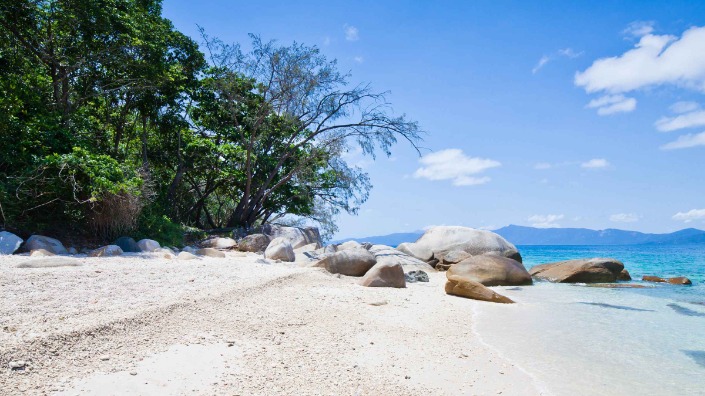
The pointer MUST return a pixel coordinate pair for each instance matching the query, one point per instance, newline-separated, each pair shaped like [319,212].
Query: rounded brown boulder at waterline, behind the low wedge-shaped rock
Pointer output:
[491,270]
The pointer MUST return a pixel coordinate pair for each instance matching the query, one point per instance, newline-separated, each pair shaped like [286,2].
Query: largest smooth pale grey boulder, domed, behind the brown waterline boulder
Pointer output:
[439,241]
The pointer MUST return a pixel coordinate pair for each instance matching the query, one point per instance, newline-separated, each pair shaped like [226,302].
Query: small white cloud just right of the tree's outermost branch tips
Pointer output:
[453,164]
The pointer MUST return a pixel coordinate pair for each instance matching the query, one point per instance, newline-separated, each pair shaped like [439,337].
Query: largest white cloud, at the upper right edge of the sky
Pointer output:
[655,60]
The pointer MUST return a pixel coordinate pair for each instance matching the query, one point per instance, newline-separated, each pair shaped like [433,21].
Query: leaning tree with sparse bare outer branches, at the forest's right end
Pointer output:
[290,115]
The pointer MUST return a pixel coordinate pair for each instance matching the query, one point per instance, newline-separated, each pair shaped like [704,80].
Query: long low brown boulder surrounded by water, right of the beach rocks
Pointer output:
[594,270]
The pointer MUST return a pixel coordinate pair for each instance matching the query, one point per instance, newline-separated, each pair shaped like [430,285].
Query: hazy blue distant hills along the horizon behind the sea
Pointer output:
[520,235]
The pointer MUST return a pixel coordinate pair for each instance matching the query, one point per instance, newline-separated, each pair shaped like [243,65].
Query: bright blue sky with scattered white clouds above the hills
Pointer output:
[545,114]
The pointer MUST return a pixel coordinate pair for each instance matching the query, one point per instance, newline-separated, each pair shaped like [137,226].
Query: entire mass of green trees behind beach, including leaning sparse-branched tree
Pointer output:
[112,122]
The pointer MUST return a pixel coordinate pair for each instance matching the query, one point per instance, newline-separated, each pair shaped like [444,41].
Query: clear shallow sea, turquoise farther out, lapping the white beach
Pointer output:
[580,340]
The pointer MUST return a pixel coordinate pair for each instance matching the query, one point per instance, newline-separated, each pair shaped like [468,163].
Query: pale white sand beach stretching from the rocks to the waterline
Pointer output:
[232,326]
